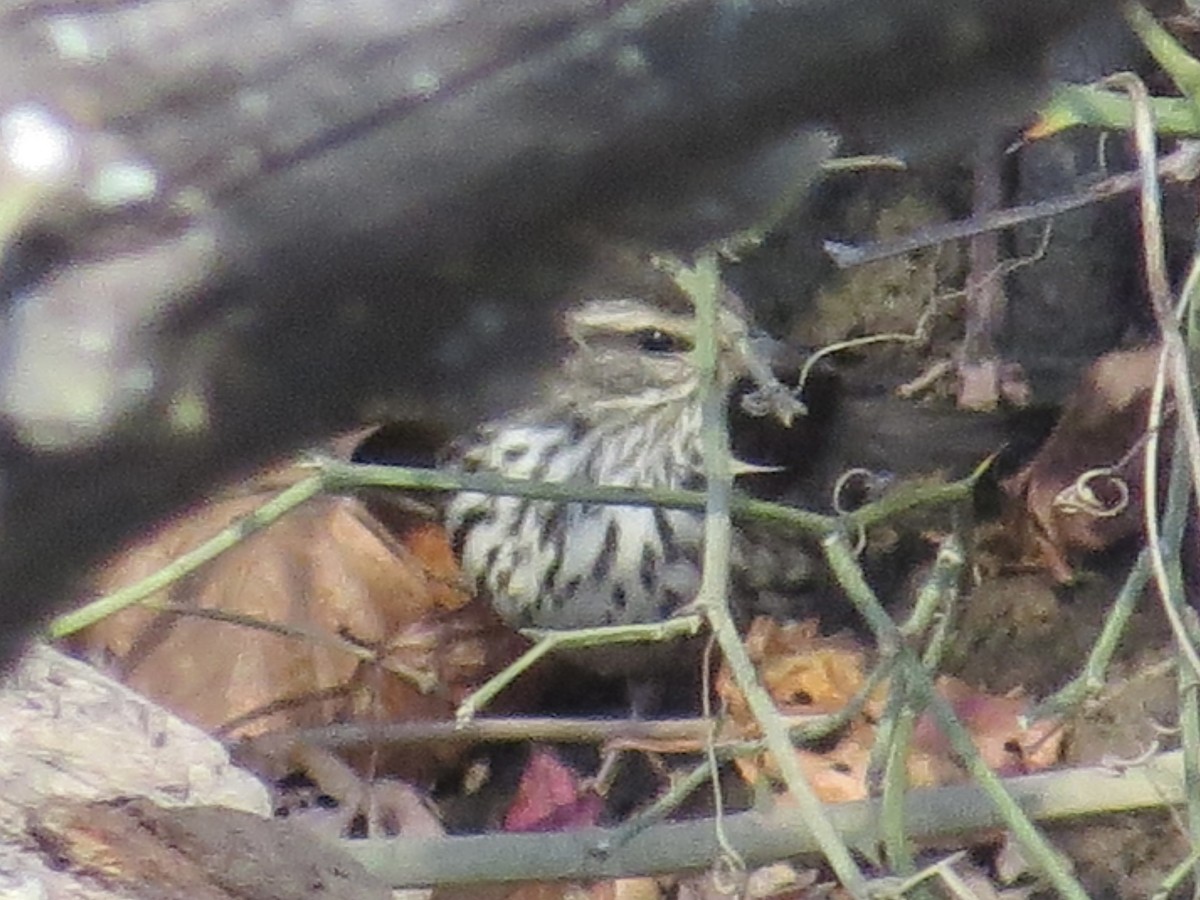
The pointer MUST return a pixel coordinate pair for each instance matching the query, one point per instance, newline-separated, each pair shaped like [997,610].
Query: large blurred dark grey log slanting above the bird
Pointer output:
[232,227]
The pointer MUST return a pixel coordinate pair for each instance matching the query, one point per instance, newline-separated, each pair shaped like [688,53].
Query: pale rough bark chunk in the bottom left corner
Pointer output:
[74,737]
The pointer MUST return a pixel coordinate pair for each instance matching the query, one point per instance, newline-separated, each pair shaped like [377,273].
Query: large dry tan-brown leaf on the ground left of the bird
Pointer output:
[339,581]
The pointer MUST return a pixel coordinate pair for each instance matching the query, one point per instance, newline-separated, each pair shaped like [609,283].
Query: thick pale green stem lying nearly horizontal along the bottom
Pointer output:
[933,815]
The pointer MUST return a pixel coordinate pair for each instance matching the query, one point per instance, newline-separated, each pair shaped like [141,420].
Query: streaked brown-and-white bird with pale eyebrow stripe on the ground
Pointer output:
[622,410]
